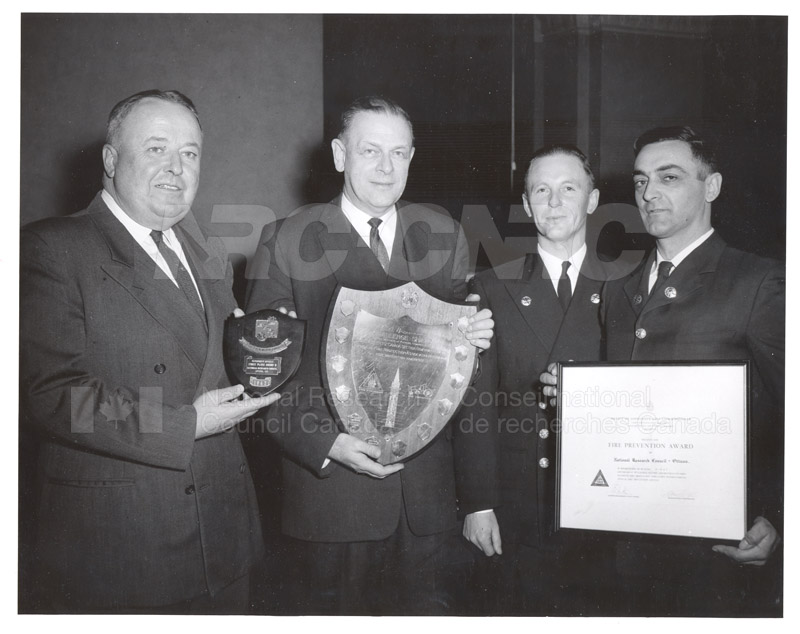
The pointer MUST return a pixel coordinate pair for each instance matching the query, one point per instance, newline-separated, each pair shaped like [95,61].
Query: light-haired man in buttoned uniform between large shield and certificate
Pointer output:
[546,309]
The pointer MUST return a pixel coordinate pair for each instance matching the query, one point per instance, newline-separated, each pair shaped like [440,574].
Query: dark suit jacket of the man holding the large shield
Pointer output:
[298,264]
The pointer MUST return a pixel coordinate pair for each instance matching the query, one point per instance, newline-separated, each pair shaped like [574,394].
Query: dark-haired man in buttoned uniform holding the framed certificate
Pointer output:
[695,298]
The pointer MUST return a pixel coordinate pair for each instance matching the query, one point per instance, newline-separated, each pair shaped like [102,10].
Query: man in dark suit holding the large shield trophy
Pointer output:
[367,538]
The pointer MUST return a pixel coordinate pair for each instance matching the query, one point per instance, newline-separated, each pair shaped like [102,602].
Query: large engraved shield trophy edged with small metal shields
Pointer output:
[397,365]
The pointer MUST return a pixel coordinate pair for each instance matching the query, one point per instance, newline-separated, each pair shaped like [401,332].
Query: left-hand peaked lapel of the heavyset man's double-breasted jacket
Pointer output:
[133,269]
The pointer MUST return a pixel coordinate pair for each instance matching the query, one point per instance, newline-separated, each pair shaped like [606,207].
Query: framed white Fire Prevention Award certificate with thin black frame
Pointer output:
[653,448]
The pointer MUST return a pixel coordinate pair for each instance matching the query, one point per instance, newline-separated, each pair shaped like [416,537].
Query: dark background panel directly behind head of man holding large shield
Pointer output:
[453,75]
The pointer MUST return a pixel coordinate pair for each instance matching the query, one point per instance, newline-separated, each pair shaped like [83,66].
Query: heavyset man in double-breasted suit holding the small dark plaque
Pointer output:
[146,505]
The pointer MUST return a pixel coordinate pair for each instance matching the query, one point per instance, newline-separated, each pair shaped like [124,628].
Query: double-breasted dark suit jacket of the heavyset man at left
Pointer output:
[134,511]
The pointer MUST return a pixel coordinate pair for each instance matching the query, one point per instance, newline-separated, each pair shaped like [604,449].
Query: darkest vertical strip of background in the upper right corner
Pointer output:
[745,105]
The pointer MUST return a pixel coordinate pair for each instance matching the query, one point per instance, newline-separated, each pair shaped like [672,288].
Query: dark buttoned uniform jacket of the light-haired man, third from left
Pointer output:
[531,331]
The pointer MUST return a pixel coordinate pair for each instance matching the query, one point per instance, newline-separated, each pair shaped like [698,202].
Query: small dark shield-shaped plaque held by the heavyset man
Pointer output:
[263,369]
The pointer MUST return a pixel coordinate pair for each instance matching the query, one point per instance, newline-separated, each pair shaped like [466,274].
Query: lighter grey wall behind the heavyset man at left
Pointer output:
[255,79]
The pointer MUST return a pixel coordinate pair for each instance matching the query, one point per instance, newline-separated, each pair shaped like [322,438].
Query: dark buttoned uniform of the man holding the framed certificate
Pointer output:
[728,305]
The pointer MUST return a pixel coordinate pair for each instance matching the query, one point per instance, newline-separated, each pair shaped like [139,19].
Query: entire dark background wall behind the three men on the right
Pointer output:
[485,91]
